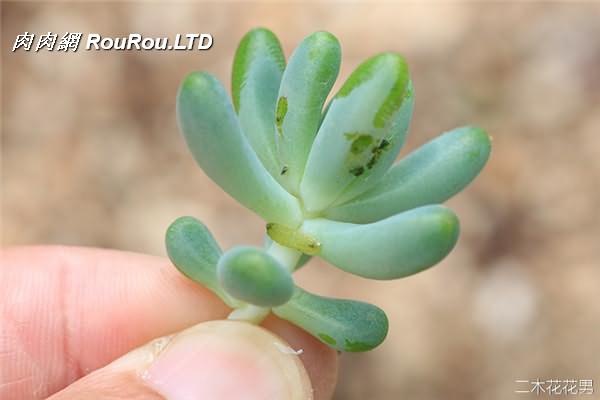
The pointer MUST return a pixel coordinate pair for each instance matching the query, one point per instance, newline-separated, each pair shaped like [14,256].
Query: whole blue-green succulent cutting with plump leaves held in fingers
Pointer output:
[322,178]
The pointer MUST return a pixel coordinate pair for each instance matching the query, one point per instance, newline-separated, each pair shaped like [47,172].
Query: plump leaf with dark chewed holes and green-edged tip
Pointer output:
[361,134]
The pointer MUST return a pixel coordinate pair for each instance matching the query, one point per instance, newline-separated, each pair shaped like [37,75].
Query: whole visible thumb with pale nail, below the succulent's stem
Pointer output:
[213,360]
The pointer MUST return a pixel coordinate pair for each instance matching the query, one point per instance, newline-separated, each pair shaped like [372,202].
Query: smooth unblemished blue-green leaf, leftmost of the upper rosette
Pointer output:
[215,138]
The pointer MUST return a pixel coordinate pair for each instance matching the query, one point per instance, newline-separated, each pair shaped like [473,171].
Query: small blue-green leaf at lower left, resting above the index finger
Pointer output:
[195,253]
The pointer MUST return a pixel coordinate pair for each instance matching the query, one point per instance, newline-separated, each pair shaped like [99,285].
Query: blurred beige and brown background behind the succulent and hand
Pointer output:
[91,156]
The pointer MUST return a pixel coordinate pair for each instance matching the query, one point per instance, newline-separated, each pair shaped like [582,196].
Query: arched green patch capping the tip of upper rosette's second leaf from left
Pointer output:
[259,42]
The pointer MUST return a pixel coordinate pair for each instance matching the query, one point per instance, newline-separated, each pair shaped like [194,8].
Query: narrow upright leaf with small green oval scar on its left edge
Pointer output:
[307,80]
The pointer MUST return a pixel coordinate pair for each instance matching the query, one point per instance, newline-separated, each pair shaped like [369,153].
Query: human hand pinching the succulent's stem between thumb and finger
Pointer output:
[71,318]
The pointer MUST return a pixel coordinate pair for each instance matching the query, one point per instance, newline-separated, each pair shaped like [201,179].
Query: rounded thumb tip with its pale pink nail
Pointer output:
[228,360]
